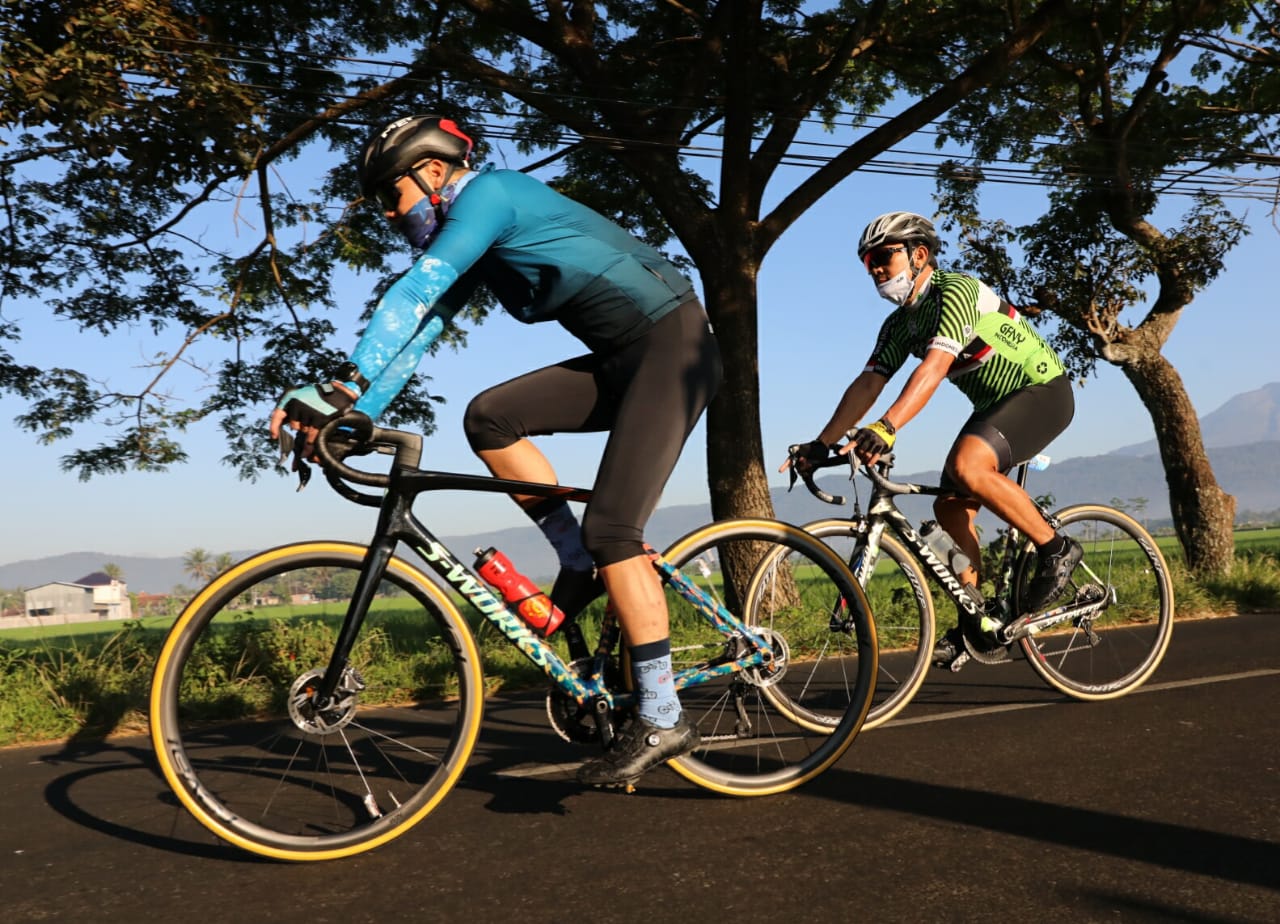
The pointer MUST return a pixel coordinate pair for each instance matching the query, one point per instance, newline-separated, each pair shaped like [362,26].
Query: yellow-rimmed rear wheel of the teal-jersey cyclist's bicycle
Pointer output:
[756,739]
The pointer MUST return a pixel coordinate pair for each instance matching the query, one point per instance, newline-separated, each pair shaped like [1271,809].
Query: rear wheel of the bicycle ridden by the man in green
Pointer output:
[1124,602]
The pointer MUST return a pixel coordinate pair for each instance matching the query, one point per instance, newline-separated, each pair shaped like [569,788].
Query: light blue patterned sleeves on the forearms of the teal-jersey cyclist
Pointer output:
[405,324]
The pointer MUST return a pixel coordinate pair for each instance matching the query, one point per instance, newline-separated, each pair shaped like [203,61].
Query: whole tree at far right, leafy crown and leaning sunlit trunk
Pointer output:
[1119,112]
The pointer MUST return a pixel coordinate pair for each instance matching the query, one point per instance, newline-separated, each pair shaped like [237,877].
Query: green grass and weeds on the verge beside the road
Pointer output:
[90,680]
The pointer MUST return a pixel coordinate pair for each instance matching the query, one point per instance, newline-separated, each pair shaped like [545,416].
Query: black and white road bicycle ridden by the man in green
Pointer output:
[1103,638]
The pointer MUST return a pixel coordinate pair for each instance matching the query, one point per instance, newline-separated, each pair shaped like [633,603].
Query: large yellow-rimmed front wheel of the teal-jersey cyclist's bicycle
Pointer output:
[241,743]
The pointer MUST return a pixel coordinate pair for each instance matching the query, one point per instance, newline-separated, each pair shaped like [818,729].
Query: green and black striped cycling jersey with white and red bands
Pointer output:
[998,353]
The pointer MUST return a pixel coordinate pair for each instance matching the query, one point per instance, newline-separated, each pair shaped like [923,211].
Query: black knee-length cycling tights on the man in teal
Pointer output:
[648,395]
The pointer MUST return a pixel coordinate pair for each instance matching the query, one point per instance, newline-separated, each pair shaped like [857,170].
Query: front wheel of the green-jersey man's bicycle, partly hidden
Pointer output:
[898,593]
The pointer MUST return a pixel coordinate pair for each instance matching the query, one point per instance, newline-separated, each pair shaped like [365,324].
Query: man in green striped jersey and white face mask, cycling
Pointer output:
[966,333]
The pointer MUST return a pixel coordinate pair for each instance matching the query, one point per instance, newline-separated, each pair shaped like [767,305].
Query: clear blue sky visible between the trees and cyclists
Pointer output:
[819,319]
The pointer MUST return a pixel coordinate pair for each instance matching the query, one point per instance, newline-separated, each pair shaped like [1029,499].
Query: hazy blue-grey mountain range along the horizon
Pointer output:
[1242,437]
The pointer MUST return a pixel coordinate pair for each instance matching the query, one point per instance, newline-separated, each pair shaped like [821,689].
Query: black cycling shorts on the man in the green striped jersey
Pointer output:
[1023,424]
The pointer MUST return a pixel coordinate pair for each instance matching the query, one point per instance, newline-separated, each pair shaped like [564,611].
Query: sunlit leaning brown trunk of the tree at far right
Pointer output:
[1204,514]
